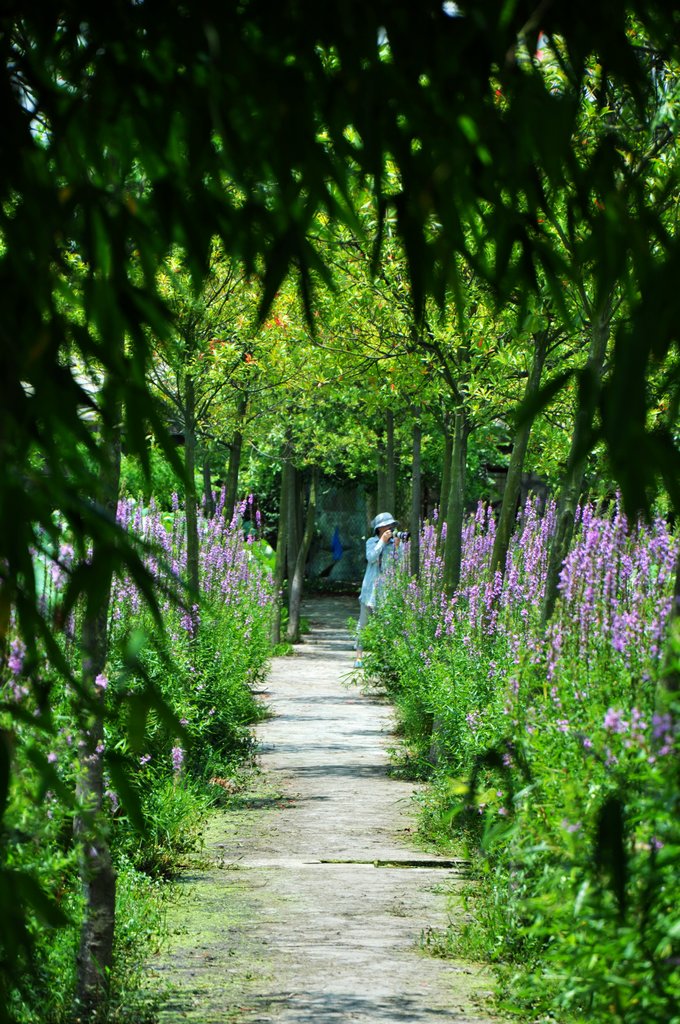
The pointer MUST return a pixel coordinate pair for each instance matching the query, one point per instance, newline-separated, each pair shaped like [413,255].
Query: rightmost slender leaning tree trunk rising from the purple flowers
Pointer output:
[579,451]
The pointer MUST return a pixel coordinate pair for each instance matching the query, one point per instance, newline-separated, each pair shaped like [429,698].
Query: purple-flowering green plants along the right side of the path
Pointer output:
[551,758]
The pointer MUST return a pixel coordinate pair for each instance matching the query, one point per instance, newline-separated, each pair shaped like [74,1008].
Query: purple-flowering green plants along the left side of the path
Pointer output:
[162,776]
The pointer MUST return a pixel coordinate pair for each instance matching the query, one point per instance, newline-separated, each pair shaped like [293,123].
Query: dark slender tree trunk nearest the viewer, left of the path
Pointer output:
[98,874]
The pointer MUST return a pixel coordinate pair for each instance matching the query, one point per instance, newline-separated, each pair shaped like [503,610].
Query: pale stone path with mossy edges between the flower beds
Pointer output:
[313,904]
